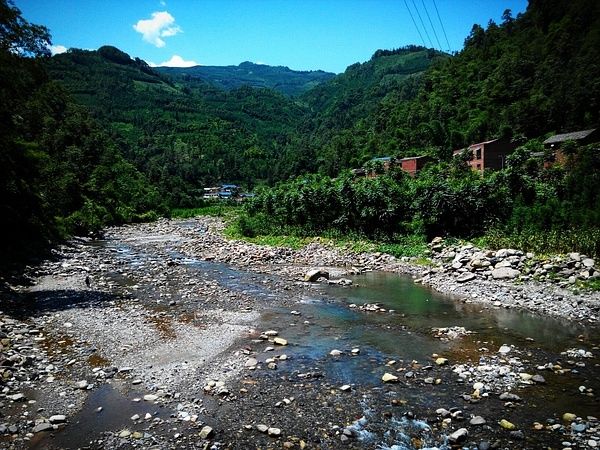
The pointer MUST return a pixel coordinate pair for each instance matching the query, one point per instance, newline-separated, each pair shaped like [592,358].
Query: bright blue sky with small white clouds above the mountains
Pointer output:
[301,34]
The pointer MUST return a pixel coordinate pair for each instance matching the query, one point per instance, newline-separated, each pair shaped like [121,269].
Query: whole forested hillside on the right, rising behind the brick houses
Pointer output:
[529,75]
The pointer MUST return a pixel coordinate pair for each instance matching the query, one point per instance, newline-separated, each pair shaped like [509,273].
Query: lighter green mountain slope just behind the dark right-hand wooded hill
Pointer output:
[341,130]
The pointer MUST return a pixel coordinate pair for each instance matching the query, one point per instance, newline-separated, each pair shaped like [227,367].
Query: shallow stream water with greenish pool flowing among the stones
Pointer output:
[327,322]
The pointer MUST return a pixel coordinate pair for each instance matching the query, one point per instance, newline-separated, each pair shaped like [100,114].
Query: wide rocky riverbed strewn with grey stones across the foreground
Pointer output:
[167,335]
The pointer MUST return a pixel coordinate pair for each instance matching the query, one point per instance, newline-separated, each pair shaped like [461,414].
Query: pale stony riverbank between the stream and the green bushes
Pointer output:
[544,297]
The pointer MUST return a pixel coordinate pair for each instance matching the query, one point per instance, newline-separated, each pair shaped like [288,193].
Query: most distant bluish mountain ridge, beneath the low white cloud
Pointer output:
[280,78]
